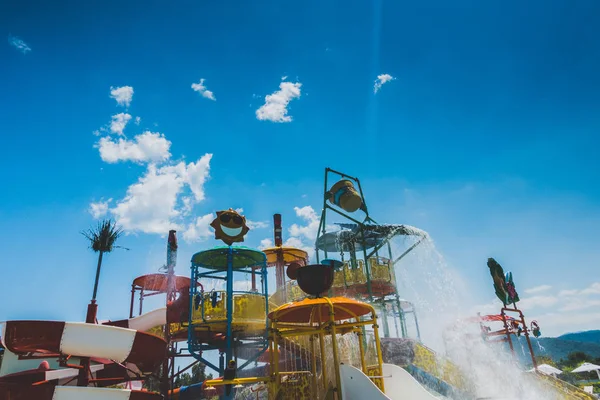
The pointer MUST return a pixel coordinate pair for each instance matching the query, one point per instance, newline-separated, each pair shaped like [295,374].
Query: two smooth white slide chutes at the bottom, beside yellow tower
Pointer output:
[399,385]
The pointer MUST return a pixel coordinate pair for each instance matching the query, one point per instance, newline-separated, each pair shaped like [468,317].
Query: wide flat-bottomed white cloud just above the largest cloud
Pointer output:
[146,147]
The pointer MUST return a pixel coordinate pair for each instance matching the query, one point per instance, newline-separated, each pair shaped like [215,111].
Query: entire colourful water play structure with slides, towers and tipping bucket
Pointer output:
[321,331]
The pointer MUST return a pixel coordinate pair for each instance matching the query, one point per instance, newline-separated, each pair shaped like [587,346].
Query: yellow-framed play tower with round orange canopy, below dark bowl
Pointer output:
[312,331]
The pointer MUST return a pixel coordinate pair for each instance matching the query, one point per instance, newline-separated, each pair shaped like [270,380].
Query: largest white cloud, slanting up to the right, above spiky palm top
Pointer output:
[154,205]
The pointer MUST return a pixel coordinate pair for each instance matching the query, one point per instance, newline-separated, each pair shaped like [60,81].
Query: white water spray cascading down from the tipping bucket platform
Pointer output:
[442,300]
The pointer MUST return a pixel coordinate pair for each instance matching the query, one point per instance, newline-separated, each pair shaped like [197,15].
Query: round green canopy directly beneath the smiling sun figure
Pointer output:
[216,258]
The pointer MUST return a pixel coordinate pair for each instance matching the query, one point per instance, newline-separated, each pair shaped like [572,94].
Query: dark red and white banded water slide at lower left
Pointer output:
[110,348]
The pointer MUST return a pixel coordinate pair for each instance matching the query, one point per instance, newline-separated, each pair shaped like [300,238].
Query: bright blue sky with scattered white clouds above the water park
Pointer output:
[486,137]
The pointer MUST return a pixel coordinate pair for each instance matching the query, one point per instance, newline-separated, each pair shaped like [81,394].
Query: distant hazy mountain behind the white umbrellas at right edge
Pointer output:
[560,347]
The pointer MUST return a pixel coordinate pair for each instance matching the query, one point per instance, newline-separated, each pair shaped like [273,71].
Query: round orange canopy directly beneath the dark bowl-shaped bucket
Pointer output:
[317,310]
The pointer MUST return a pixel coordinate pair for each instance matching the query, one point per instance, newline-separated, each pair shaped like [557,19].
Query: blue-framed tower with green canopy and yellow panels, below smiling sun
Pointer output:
[242,320]
